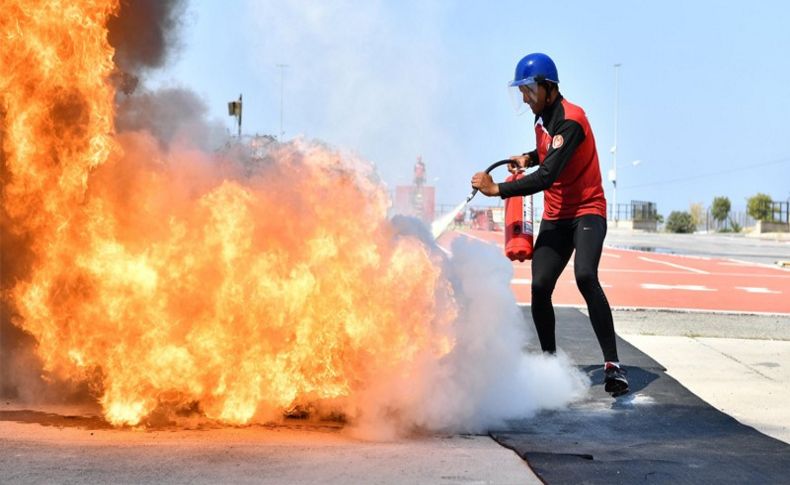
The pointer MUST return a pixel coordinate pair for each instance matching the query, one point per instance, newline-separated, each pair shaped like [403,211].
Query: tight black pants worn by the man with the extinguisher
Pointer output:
[553,248]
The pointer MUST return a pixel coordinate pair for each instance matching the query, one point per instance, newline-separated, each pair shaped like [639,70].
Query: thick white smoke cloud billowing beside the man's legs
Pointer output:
[498,376]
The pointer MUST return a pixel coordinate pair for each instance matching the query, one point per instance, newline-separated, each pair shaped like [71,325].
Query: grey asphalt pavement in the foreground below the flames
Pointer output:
[80,452]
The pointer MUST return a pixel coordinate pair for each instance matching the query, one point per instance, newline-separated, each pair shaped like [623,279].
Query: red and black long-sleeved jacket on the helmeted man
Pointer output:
[569,172]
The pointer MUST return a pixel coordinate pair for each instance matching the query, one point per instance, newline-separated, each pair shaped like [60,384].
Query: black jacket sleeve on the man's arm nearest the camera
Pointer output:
[556,159]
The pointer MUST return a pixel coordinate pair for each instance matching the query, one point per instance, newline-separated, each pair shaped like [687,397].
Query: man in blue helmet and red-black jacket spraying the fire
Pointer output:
[574,215]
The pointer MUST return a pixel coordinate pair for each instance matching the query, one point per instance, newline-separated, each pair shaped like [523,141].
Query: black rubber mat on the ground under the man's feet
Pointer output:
[659,433]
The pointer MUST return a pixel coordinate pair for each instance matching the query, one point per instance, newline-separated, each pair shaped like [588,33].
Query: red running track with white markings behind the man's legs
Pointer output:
[651,280]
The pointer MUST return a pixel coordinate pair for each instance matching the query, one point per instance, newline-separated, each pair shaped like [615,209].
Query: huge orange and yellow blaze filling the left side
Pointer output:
[170,279]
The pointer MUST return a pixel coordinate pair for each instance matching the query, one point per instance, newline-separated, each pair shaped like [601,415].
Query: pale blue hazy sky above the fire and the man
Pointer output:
[704,86]
